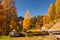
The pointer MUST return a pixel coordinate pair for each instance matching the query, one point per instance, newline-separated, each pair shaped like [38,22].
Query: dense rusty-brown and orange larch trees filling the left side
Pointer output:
[8,16]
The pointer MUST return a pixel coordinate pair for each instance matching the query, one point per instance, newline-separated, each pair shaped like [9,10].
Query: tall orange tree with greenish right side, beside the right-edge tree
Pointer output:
[51,12]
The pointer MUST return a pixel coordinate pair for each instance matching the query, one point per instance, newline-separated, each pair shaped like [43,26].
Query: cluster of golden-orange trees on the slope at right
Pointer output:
[53,13]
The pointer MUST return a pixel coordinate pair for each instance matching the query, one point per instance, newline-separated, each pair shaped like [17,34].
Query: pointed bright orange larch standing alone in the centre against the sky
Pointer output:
[26,21]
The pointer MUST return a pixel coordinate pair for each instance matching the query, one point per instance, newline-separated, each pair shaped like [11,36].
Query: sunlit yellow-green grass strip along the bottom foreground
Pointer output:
[50,37]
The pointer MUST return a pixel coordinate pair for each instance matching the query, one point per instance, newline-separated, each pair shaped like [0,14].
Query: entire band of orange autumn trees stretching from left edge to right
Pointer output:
[8,17]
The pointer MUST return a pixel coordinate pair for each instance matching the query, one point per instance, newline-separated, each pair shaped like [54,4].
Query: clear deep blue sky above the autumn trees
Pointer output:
[36,7]
